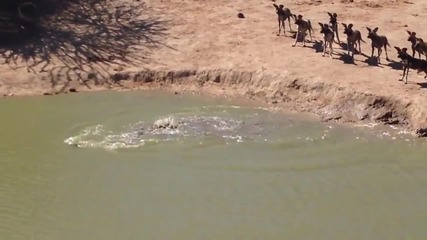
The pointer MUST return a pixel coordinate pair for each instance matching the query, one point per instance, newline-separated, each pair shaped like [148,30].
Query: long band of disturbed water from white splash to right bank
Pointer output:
[218,125]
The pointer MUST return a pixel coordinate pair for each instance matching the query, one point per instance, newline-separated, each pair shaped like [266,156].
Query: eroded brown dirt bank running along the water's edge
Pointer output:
[328,101]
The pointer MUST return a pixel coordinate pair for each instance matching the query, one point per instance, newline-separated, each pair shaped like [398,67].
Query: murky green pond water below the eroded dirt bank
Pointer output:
[92,166]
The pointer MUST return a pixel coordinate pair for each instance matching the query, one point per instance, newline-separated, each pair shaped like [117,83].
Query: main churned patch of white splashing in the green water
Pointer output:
[190,127]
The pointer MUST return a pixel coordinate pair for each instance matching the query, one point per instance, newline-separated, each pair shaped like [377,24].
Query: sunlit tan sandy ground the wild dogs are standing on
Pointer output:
[206,35]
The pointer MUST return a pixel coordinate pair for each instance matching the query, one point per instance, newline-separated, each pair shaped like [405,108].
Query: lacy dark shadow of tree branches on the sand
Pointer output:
[80,39]
